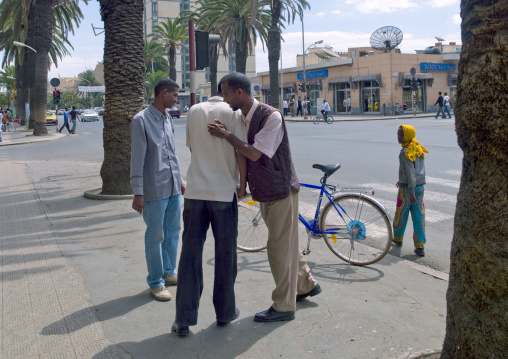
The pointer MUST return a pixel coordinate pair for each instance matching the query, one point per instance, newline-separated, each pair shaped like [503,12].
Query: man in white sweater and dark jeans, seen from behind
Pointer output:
[210,198]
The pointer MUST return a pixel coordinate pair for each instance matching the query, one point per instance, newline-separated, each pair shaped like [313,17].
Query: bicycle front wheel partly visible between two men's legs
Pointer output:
[252,230]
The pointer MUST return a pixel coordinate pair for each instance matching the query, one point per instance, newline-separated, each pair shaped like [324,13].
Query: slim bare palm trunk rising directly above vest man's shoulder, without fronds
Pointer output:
[274,53]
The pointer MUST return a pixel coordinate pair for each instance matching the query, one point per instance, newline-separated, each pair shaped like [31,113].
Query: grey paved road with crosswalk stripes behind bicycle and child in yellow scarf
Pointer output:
[367,150]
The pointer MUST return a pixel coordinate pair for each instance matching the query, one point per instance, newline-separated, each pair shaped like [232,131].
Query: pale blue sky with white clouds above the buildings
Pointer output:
[339,23]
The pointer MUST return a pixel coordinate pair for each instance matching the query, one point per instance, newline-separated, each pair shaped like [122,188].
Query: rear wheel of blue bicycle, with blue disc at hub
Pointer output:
[362,235]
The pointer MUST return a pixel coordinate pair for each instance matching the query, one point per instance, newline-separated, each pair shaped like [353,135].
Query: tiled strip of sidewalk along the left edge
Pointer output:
[45,308]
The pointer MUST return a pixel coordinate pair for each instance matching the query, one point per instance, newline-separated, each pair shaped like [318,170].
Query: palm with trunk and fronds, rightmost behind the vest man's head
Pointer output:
[292,8]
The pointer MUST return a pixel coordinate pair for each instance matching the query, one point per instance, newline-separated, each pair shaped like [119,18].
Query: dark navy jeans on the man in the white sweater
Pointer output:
[197,217]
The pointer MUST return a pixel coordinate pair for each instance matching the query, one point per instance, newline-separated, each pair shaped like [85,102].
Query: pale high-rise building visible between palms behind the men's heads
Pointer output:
[156,11]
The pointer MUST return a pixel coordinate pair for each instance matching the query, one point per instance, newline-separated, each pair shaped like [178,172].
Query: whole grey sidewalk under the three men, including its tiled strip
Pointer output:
[73,286]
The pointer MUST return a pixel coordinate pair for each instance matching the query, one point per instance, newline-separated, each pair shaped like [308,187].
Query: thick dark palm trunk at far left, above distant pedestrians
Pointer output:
[42,30]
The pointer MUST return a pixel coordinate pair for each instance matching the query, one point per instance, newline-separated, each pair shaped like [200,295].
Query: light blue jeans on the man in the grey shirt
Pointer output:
[162,218]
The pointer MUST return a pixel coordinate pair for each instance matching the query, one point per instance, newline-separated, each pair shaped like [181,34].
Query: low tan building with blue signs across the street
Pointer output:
[373,82]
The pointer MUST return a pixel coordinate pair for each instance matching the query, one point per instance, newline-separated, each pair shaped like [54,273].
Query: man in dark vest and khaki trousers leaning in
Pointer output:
[272,182]
